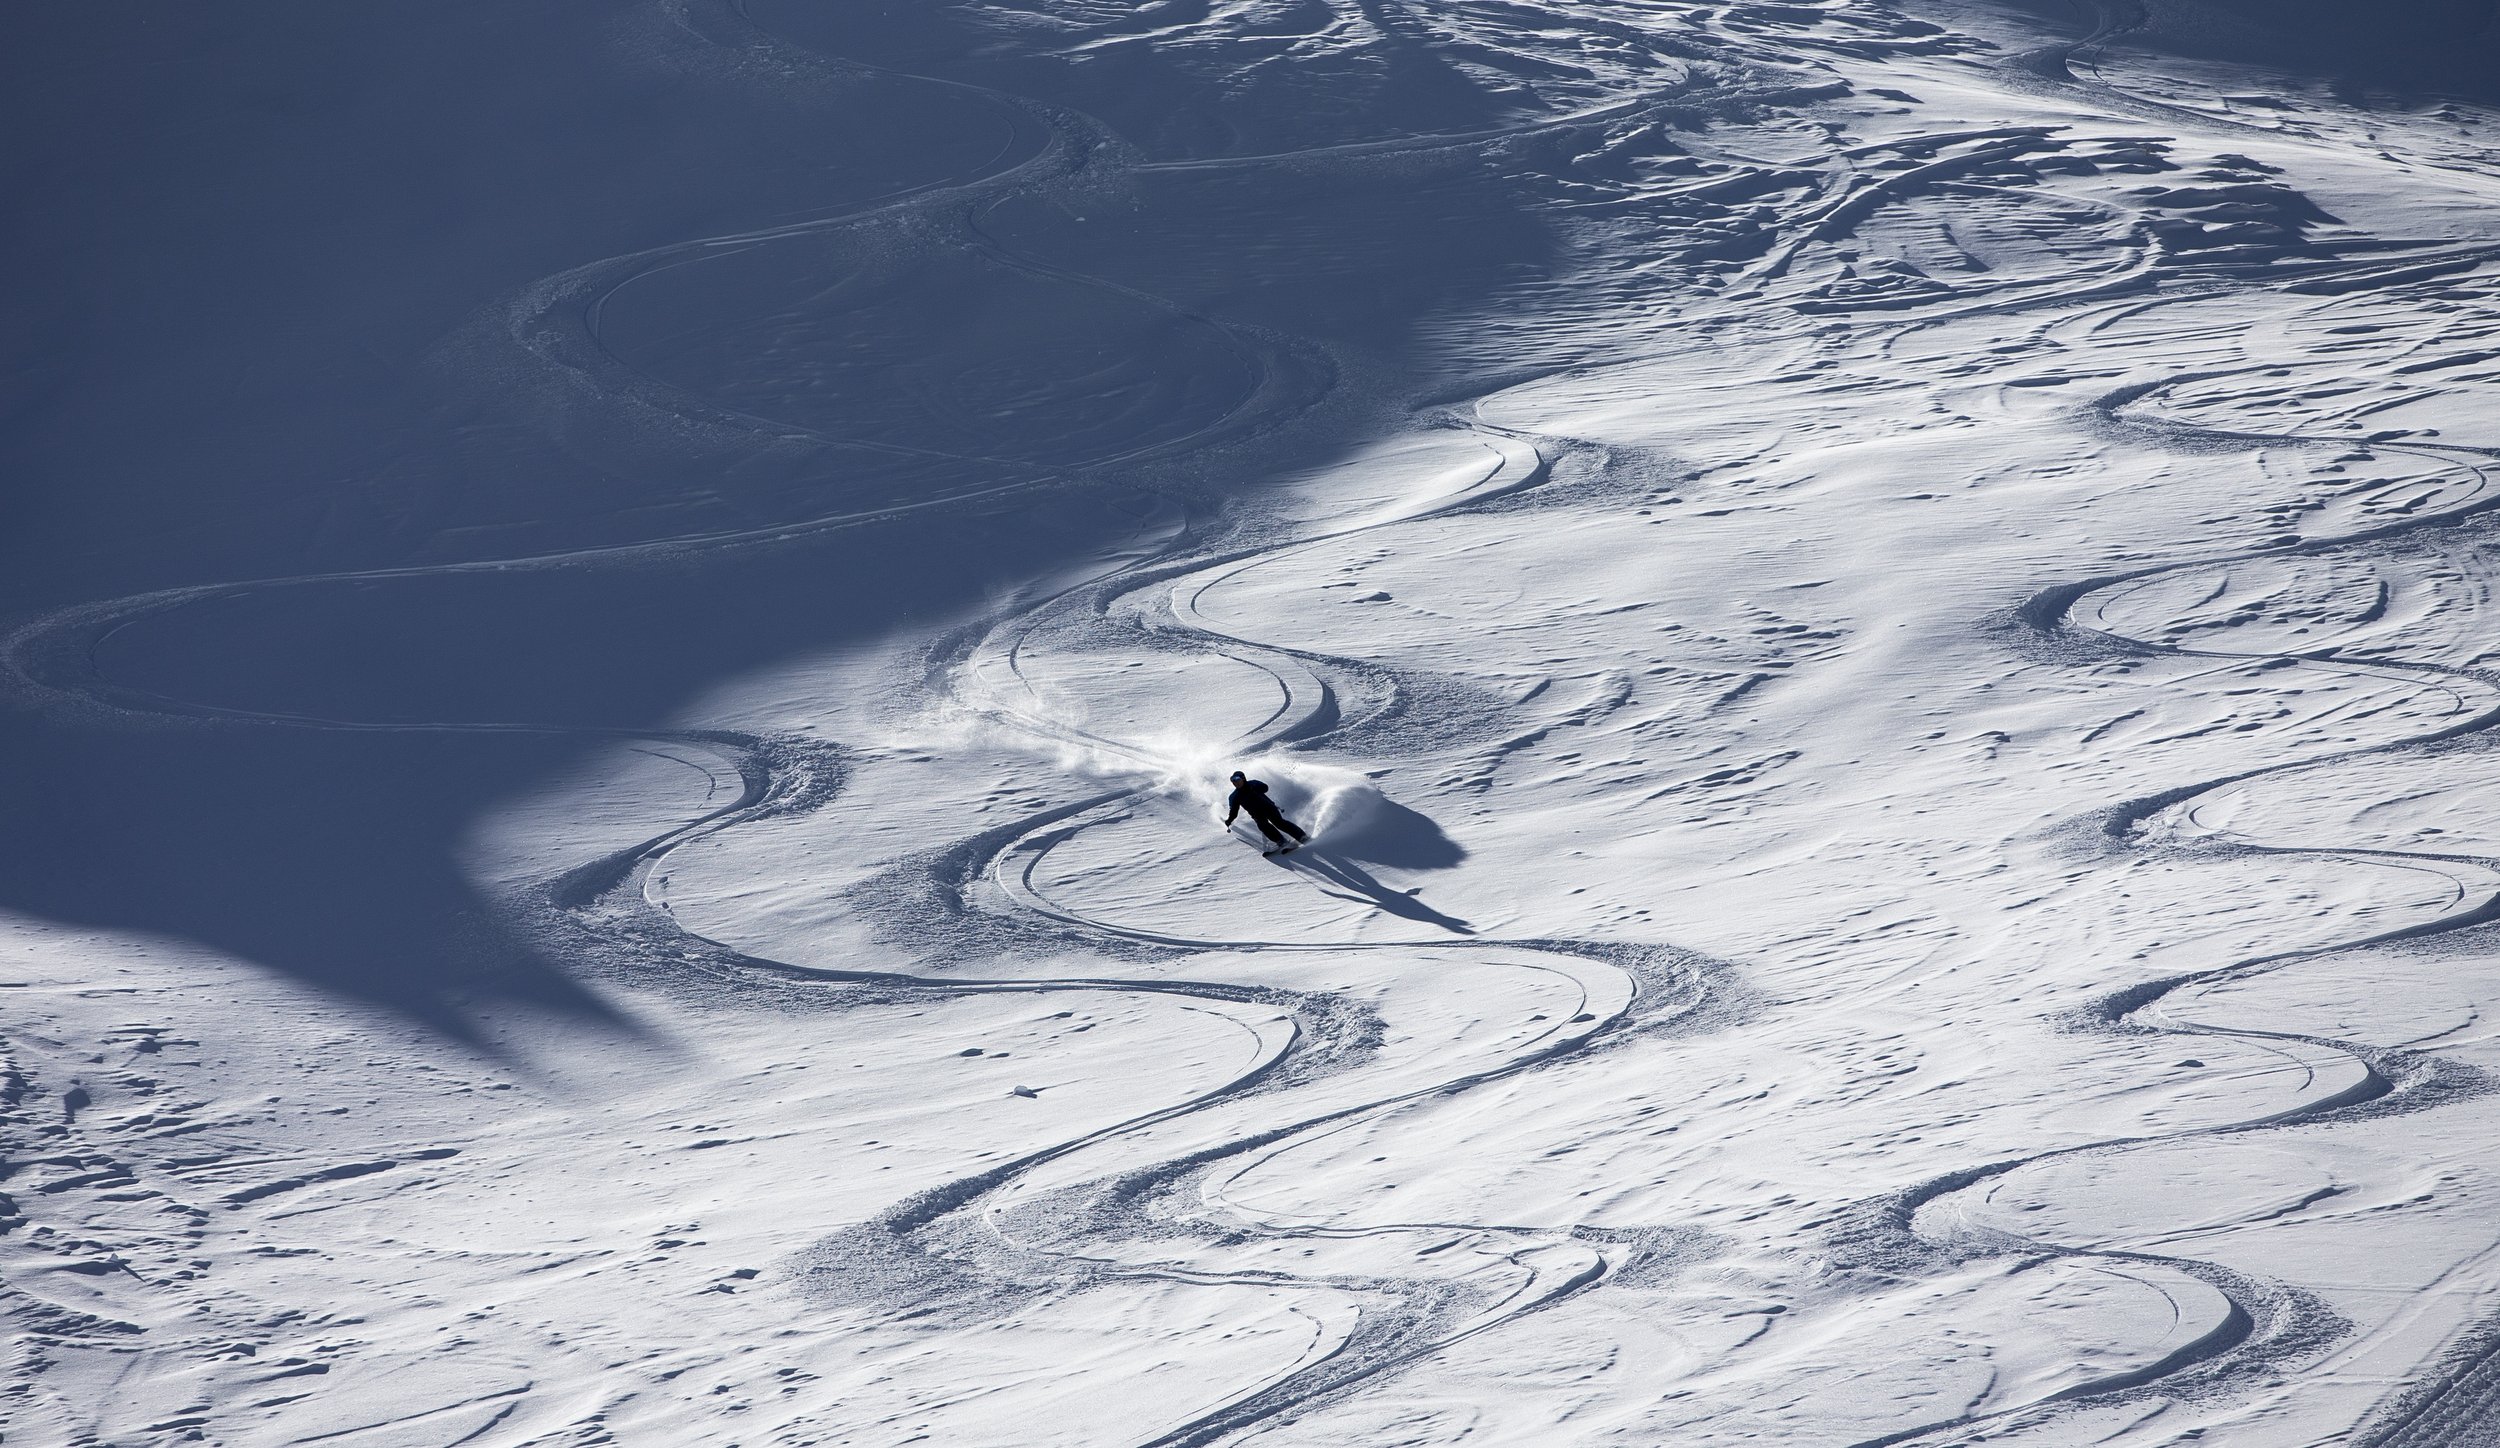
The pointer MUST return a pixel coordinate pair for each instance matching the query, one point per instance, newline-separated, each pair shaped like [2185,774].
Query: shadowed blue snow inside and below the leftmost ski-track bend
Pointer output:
[334,857]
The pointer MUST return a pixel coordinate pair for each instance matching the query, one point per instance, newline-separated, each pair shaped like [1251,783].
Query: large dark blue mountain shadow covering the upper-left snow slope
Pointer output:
[274,331]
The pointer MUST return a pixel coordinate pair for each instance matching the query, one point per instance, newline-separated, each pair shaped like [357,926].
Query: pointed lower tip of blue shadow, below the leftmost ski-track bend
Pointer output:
[329,859]
